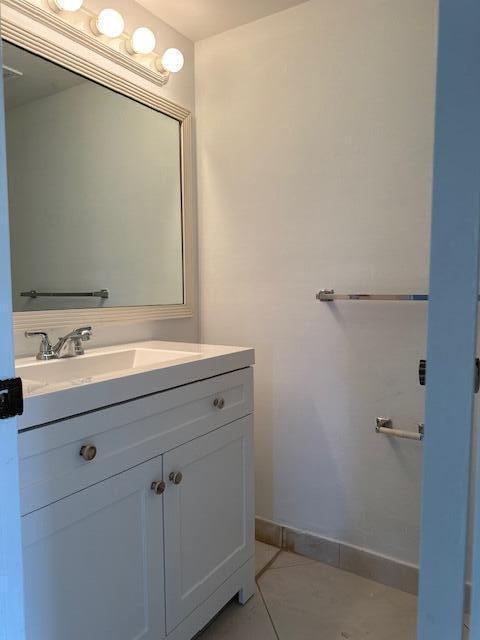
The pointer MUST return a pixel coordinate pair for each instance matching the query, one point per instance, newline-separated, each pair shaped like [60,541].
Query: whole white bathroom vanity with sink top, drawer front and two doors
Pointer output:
[136,473]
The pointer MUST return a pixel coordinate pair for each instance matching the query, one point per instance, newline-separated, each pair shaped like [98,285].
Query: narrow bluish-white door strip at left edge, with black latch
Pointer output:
[11,587]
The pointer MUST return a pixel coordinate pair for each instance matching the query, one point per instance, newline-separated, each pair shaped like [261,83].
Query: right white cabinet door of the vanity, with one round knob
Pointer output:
[209,522]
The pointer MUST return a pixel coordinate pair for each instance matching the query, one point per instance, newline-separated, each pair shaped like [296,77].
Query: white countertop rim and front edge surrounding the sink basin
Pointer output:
[48,403]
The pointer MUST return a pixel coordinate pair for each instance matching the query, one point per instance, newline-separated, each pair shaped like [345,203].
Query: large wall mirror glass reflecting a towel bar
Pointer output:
[96,184]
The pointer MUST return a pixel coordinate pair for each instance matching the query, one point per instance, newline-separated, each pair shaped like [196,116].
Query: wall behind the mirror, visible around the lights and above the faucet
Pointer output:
[180,89]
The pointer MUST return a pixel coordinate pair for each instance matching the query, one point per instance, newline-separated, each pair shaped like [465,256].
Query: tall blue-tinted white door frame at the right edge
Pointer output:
[452,326]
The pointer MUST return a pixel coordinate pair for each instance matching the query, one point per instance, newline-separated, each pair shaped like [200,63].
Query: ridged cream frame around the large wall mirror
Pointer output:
[15,33]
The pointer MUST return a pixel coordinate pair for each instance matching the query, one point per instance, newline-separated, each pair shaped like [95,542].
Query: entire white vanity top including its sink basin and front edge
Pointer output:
[104,376]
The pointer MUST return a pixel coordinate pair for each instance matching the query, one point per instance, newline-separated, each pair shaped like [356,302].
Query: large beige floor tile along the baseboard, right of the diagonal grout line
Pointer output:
[313,601]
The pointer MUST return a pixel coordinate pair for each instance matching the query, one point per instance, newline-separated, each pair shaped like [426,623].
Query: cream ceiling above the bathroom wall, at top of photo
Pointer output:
[198,19]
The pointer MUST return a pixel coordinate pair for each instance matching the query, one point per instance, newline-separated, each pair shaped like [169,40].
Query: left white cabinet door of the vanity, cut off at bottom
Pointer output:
[93,562]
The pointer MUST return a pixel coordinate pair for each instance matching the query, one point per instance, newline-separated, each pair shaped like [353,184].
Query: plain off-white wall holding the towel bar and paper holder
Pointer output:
[315,142]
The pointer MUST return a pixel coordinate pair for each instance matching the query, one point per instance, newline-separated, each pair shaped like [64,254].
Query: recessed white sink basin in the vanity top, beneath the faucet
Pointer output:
[37,375]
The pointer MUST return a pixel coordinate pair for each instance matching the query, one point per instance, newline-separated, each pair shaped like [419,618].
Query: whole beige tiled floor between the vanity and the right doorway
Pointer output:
[302,599]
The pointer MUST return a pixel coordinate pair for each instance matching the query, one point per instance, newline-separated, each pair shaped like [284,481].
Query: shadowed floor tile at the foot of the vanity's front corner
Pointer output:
[250,622]
